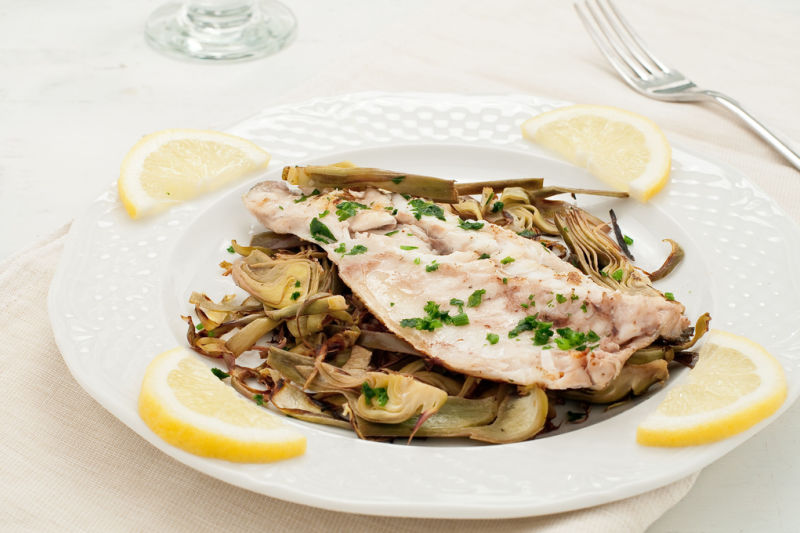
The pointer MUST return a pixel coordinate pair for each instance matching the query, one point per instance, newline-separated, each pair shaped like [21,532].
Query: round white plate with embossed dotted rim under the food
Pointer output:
[121,286]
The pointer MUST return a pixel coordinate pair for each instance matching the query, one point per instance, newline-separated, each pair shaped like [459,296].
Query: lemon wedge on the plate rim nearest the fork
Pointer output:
[627,151]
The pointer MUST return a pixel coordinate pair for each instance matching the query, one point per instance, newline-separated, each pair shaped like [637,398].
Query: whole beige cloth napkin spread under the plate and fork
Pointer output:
[67,464]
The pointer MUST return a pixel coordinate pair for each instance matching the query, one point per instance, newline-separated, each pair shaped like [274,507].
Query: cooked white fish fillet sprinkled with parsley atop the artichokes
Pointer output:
[520,279]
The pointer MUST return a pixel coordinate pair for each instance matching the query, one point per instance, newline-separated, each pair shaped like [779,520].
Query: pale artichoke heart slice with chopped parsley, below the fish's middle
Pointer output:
[405,397]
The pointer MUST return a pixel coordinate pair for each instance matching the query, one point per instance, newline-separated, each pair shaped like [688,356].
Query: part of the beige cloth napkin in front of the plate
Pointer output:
[66,464]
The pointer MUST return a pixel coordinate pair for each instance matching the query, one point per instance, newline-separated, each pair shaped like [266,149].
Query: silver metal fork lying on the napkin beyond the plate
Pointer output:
[630,57]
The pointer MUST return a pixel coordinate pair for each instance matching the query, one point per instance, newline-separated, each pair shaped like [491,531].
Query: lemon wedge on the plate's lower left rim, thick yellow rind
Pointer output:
[187,406]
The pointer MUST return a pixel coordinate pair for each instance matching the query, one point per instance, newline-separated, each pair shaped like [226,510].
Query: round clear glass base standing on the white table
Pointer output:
[240,32]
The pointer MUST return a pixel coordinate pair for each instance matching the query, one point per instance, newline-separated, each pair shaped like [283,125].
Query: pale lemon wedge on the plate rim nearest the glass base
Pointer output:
[171,166]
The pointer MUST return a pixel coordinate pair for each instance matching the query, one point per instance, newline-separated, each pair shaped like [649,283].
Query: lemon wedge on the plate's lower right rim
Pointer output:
[735,384]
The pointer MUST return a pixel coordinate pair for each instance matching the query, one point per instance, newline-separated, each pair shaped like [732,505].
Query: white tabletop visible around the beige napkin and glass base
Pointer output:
[78,86]
